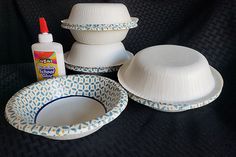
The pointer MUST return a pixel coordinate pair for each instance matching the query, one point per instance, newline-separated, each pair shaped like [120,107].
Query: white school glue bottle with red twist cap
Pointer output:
[48,55]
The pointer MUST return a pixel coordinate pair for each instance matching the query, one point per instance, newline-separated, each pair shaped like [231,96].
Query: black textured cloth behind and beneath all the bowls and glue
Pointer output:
[207,26]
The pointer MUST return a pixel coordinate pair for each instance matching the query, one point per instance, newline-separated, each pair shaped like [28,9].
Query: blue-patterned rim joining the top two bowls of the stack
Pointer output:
[100,27]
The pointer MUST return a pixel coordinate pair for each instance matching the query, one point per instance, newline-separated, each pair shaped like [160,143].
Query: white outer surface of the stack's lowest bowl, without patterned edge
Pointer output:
[97,55]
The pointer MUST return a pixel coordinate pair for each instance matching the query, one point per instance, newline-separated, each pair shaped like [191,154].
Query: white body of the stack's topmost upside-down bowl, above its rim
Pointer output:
[99,13]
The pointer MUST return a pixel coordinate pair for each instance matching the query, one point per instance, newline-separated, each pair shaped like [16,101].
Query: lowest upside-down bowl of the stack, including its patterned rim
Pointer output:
[96,58]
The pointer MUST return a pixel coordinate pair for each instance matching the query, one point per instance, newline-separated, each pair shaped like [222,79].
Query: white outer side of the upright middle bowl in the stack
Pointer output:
[99,37]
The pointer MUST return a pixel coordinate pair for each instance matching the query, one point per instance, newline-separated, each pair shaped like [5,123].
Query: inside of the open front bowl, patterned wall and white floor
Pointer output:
[66,100]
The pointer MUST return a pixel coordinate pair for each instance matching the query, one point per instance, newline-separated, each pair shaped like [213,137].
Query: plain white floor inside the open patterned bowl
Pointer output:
[69,110]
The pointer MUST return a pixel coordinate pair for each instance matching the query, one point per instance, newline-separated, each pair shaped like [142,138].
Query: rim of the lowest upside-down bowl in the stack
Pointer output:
[97,69]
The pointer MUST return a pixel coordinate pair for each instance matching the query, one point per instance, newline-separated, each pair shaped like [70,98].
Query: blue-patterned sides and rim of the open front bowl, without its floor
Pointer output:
[26,104]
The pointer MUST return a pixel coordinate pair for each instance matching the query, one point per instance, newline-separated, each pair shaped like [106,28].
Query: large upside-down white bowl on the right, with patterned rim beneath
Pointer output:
[172,75]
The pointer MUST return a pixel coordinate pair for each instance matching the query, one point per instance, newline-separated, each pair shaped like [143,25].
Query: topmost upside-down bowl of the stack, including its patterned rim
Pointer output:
[90,17]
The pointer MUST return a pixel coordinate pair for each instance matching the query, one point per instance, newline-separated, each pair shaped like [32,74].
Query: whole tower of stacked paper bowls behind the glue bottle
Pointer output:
[98,29]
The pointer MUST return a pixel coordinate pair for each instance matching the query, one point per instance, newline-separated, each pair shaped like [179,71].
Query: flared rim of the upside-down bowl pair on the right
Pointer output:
[199,102]
